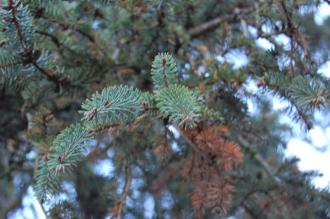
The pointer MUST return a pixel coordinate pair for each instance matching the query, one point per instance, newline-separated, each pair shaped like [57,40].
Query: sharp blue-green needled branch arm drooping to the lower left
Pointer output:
[113,106]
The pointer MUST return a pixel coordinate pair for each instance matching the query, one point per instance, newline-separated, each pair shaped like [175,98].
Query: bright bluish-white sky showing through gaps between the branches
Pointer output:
[312,147]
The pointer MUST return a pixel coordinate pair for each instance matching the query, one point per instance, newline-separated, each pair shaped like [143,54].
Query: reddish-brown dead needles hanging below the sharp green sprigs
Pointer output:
[213,156]
